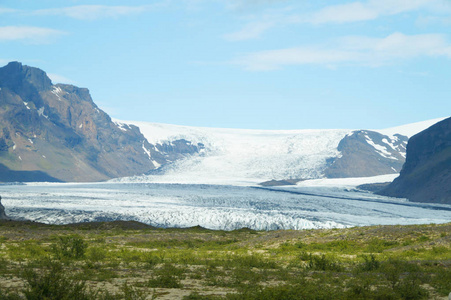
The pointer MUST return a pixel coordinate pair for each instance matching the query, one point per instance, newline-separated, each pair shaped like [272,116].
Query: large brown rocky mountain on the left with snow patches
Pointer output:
[57,133]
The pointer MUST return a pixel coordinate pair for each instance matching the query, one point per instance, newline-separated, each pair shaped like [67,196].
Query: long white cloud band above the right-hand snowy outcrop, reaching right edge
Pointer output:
[360,50]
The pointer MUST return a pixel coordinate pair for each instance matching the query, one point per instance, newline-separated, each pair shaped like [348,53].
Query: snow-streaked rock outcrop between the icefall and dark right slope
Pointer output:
[367,153]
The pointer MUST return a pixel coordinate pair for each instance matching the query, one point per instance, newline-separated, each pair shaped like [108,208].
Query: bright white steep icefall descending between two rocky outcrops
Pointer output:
[238,156]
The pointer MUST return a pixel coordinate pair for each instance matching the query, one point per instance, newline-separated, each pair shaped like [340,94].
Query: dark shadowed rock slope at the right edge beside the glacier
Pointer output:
[426,175]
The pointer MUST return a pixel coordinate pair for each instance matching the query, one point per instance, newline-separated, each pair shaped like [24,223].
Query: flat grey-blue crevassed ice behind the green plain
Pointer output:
[214,206]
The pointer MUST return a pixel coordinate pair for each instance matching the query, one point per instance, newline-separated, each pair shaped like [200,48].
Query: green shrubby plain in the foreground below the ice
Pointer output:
[129,260]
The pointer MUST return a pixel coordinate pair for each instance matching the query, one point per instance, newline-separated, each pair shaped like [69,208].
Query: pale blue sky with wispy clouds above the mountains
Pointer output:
[263,64]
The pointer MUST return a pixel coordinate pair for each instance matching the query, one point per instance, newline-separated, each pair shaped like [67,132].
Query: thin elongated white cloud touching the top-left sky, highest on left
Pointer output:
[93,12]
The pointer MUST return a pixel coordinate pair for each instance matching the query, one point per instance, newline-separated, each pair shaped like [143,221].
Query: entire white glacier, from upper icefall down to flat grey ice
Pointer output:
[218,187]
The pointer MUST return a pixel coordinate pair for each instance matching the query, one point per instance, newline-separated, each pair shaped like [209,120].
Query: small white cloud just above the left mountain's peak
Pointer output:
[29,34]
